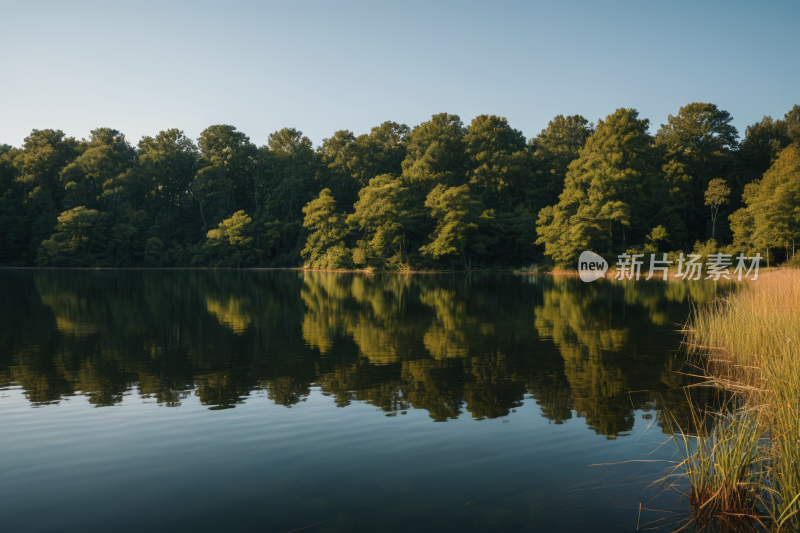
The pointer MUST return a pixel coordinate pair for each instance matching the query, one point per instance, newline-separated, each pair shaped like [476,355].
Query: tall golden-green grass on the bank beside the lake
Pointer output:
[749,343]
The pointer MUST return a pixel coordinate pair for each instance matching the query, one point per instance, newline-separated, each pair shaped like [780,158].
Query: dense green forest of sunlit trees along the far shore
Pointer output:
[439,196]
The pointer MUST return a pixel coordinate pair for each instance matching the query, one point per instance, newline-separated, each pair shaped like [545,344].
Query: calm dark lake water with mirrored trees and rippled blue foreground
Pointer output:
[271,401]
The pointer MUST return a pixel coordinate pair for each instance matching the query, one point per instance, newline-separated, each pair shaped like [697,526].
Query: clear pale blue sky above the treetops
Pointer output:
[142,67]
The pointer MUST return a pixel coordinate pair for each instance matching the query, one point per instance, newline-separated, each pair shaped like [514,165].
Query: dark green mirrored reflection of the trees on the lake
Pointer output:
[476,345]
